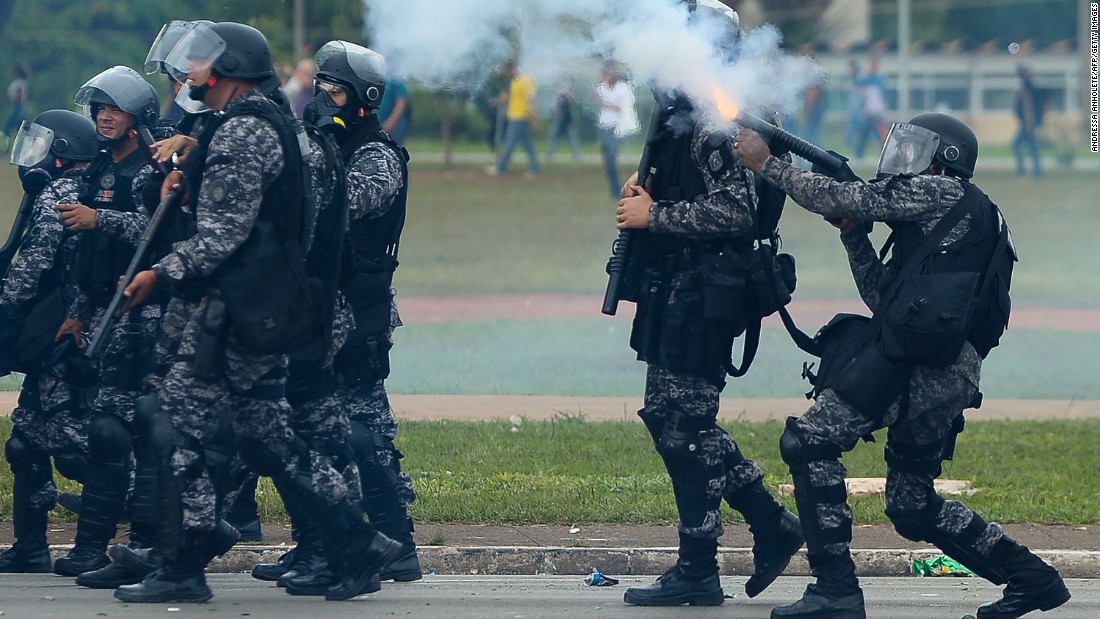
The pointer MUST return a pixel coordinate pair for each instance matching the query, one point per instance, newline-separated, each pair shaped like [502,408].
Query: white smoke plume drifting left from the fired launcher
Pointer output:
[460,42]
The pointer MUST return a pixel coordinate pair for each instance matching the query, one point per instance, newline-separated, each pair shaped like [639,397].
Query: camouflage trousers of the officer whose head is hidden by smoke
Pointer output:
[718,469]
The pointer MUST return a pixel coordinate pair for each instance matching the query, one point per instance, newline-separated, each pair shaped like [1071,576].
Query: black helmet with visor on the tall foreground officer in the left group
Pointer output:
[227,49]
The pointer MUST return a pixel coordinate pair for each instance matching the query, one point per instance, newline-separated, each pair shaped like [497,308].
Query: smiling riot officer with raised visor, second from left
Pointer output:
[108,225]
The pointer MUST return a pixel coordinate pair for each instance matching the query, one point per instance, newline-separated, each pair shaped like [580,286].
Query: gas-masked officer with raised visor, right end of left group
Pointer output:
[350,84]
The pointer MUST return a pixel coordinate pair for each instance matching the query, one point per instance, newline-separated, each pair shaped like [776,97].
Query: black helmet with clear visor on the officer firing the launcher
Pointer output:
[931,138]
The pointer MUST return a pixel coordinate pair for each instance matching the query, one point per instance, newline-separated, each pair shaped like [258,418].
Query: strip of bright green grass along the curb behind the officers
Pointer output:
[570,471]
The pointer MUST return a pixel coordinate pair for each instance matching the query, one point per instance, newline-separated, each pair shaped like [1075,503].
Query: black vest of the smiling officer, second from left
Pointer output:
[103,259]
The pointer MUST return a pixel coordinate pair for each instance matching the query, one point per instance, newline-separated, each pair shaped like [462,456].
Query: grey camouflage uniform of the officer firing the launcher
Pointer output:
[919,433]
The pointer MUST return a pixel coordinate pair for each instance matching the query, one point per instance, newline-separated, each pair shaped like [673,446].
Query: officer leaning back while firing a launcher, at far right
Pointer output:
[925,179]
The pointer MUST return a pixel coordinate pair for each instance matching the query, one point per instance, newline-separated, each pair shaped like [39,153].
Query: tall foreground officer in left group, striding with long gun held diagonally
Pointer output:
[238,288]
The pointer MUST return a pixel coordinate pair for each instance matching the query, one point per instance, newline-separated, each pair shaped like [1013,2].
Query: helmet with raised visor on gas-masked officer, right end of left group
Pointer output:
[362,72]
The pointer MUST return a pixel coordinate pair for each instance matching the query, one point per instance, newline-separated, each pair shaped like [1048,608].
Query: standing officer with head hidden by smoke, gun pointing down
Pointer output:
[698,205]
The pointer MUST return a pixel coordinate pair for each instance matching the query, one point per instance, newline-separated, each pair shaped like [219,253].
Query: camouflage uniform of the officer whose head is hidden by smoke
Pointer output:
[677,400]
